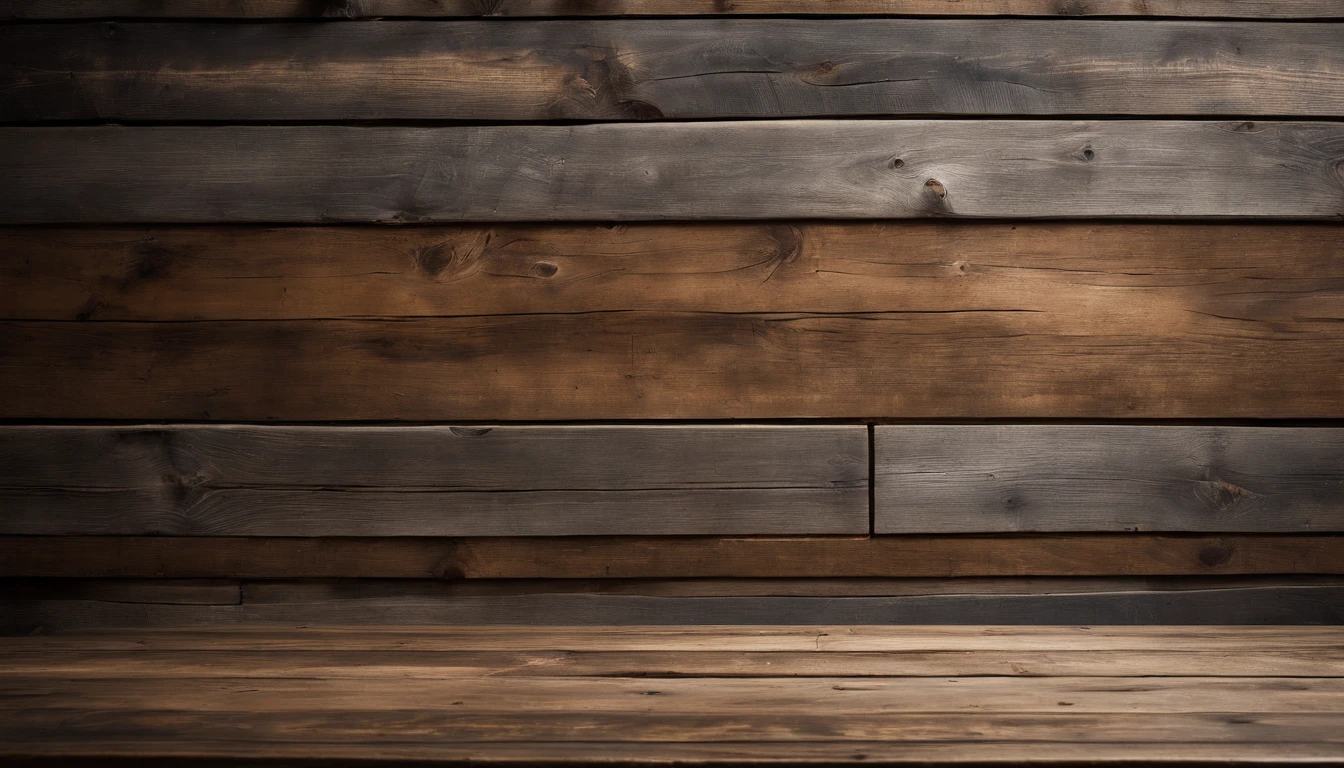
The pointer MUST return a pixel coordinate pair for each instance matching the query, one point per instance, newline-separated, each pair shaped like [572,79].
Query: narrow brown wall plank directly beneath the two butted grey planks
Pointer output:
[667,558]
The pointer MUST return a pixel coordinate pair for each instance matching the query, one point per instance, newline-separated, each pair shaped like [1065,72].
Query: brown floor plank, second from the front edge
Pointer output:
[451,726]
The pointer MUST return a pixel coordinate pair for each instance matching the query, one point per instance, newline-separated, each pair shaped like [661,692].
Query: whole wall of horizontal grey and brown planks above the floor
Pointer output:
[671,311]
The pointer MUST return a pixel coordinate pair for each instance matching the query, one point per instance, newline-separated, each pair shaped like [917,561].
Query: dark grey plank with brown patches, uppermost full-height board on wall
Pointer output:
[648,69]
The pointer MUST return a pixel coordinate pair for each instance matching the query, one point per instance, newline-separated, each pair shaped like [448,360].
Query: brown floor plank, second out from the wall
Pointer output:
[653,665]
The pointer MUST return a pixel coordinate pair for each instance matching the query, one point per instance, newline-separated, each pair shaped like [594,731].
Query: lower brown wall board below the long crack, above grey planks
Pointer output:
[991,362]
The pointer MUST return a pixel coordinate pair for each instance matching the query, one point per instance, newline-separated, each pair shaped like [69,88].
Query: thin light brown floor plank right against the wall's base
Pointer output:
[1140,641]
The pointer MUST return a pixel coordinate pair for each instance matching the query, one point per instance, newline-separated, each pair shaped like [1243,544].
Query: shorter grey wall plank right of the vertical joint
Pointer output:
[1027,478]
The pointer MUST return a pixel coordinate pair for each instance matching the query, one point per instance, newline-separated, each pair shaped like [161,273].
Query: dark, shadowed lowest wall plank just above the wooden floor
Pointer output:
[1243,601]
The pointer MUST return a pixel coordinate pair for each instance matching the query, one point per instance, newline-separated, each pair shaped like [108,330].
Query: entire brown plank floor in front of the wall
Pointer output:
[691,695]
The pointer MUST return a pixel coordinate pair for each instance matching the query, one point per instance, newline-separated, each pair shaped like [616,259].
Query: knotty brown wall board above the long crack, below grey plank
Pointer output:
[1142,279]
